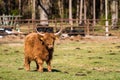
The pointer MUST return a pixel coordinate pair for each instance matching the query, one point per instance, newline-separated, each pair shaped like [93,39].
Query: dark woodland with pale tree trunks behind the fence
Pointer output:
[60,8]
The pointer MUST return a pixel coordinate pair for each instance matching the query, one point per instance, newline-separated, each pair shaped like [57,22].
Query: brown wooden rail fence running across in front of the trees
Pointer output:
[86,28]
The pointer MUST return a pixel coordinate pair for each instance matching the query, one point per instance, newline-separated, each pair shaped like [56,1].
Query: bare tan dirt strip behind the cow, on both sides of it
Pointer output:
[16,39]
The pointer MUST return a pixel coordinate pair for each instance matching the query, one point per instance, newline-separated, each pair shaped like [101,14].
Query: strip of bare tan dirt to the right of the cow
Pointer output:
[96,39]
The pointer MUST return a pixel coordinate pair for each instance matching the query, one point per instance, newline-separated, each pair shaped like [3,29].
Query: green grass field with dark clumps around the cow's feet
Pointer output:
[73,60]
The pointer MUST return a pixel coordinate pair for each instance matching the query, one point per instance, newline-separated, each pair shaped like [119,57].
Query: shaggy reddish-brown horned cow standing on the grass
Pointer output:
[39,48]
